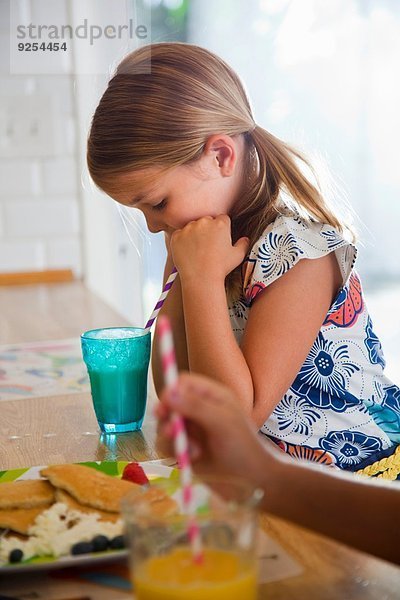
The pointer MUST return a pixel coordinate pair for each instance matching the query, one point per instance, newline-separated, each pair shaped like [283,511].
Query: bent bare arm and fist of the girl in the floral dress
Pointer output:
[283,321]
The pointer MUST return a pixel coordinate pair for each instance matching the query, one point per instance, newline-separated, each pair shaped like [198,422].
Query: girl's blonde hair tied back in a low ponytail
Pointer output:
[159,109]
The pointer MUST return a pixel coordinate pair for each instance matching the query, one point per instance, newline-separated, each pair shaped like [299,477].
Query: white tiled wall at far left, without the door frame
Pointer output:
[39,192]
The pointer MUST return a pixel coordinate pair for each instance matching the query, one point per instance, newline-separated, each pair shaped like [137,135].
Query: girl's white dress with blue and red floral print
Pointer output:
[341,409]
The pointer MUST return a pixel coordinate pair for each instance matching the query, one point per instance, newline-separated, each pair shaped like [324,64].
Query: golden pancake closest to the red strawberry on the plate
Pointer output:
[89,486]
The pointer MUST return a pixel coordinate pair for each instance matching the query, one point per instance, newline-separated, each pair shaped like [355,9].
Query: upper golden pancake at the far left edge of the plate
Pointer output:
[30,493]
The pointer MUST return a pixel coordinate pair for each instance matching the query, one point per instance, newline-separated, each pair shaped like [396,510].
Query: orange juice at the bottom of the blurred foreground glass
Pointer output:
[174,576]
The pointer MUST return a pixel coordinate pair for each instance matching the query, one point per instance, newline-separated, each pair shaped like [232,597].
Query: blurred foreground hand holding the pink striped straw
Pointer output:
[221,439]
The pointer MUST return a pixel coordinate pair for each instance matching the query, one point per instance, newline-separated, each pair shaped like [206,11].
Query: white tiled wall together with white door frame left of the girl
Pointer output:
[51,215]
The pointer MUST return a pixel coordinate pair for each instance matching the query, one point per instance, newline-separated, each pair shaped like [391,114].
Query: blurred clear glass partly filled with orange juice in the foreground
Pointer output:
[161,559]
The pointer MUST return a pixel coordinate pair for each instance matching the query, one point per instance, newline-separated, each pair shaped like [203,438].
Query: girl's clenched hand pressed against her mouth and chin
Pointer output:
[203,248]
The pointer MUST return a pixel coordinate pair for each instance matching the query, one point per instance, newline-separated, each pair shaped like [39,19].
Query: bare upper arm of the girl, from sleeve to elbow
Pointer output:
[283,323]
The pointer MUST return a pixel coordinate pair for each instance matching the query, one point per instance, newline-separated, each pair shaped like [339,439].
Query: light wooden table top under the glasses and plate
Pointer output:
[40,431]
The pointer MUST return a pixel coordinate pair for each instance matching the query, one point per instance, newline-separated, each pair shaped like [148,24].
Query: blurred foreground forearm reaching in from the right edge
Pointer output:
[352,509]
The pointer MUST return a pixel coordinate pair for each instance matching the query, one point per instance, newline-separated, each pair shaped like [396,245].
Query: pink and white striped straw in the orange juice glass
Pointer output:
[180,438]
